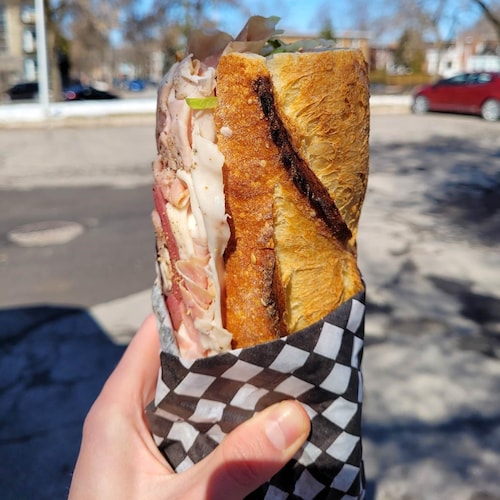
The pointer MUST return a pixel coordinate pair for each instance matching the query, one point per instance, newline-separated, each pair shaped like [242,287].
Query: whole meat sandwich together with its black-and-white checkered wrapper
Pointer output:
[259,180]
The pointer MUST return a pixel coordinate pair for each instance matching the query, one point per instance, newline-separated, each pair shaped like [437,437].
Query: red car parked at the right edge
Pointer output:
[471,93]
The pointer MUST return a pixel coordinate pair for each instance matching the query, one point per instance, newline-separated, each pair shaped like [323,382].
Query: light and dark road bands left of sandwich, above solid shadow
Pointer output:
[99,180]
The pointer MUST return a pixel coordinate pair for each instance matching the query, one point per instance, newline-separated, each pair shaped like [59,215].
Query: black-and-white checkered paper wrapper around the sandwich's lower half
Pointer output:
[200,401]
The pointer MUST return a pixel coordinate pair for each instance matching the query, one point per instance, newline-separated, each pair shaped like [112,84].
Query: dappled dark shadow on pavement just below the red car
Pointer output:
[460,178]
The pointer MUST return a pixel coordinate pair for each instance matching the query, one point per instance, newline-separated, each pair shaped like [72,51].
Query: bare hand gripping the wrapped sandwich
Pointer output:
[119,459]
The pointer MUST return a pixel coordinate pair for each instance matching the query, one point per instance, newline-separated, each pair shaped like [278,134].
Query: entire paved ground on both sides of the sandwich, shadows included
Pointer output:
[75,285]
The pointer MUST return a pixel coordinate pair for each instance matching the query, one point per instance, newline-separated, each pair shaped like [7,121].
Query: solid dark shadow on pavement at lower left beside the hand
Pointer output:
[53,363]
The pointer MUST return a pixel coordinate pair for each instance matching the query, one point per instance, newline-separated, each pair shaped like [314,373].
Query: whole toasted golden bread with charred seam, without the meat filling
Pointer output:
[294,133]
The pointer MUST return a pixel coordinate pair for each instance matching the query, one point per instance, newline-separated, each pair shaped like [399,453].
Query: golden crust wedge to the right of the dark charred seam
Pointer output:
[323,100]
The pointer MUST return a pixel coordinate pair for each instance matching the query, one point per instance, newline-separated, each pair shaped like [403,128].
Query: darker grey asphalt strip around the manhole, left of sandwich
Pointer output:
[112,257]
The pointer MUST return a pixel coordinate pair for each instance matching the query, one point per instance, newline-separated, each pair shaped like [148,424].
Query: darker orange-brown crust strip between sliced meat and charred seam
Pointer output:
[250,172]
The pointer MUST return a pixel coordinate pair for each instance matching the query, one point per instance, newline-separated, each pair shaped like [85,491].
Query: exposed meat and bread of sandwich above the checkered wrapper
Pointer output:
[259,181]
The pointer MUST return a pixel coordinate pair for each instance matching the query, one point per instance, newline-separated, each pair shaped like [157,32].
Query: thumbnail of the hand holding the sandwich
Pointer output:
[286,425]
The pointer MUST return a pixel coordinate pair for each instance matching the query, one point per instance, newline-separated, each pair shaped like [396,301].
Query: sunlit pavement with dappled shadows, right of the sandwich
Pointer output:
[429,249]
